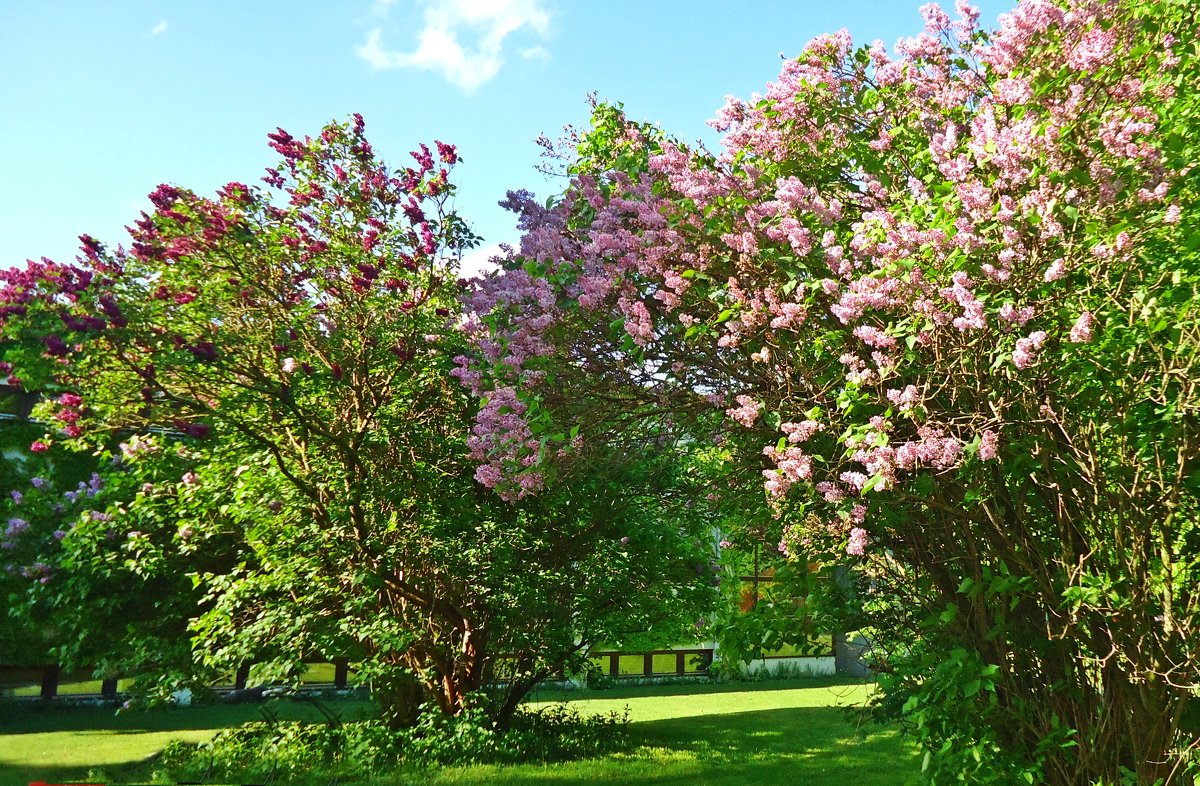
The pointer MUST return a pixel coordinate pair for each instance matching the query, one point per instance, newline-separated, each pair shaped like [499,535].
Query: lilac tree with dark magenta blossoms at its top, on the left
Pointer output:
[266,377]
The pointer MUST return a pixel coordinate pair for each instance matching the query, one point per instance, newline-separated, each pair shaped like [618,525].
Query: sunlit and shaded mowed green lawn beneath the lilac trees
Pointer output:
[776,734]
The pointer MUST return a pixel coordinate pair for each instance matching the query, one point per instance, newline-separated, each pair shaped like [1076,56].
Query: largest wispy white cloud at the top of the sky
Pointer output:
[463,40]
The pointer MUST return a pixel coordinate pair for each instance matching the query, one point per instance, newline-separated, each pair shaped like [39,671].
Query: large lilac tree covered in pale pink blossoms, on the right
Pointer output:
[941,305]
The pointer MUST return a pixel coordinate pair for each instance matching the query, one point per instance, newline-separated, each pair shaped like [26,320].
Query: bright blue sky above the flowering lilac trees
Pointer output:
[106,100]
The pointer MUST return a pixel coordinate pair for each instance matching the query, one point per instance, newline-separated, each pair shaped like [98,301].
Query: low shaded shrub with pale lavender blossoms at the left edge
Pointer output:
[98,562]
